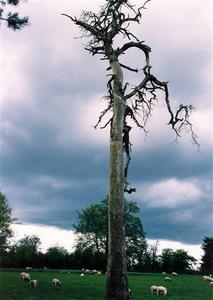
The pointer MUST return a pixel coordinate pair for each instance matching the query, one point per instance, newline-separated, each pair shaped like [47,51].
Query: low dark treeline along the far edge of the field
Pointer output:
[26,253]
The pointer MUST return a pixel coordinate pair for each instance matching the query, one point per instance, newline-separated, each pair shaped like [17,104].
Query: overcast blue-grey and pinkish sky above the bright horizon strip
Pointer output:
[53,161]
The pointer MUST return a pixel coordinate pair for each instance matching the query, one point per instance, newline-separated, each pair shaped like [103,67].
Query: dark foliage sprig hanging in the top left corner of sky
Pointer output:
[14,21]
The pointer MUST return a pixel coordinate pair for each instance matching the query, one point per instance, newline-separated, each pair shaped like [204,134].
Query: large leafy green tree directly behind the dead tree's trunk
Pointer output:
[92,233]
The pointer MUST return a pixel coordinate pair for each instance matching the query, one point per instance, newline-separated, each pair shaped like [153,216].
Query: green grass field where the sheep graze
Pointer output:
[91,287]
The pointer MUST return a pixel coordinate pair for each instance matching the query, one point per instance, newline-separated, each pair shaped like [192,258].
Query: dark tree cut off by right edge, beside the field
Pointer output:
[207,259]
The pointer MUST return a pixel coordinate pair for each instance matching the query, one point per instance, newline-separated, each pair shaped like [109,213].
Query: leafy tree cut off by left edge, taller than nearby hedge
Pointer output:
[6,220]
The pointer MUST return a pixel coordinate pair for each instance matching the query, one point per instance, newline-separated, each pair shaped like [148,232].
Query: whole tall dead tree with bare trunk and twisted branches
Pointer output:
[124,104]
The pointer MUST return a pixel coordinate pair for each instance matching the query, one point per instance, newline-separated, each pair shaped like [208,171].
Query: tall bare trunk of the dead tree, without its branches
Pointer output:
[117,282]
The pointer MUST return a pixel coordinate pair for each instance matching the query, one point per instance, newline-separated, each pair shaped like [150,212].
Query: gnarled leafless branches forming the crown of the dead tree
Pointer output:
[113,20]
